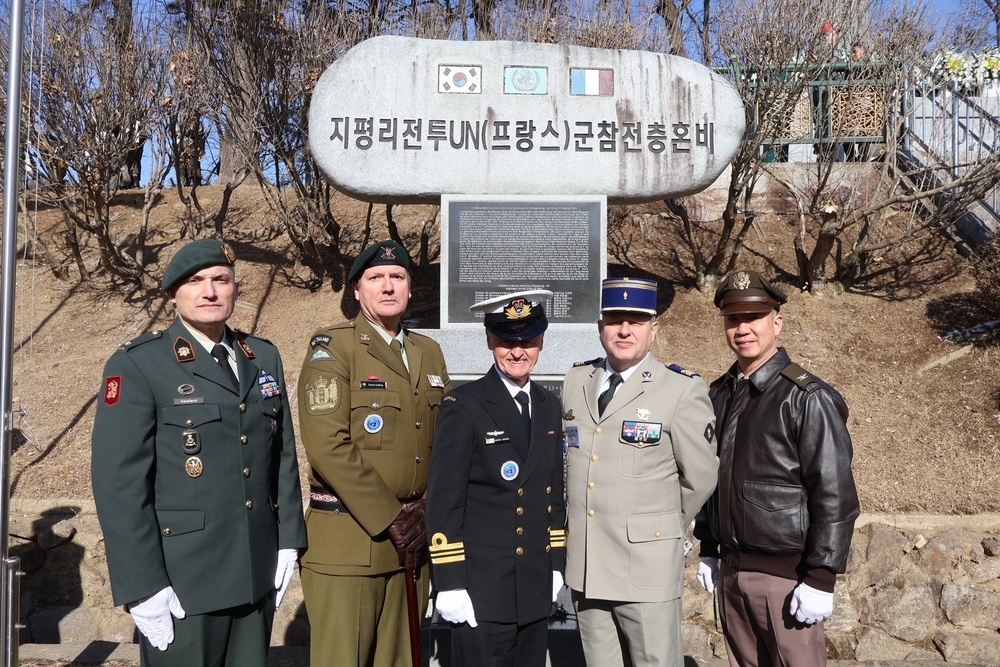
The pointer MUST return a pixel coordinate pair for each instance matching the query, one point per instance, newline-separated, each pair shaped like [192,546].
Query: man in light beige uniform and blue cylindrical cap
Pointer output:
[640,439]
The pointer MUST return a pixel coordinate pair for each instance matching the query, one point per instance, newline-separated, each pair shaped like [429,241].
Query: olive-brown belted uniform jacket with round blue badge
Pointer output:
[367,425]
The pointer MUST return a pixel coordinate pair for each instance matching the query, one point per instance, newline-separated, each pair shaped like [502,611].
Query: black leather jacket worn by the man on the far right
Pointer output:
[786,501]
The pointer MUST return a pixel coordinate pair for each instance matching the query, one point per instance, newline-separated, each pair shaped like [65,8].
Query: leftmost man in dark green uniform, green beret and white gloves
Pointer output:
[195,476]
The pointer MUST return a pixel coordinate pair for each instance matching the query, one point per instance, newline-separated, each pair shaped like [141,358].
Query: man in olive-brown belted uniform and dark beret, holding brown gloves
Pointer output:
[369,396]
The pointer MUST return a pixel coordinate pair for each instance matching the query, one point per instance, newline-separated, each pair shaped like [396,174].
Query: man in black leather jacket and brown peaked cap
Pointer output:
[778,528]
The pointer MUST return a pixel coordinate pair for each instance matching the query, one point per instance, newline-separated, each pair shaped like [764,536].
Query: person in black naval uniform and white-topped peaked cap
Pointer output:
[495,512]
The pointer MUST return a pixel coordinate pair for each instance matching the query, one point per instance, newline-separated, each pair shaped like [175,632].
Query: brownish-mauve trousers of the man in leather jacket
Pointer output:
[758,628]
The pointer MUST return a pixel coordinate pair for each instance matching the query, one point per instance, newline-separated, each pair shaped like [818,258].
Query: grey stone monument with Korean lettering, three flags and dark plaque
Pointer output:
[523,145]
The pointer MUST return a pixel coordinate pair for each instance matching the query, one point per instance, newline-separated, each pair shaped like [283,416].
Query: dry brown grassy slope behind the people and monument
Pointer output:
[925,413]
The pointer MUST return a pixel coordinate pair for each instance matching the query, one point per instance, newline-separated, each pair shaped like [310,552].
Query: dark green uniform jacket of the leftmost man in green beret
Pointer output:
[196,483]
